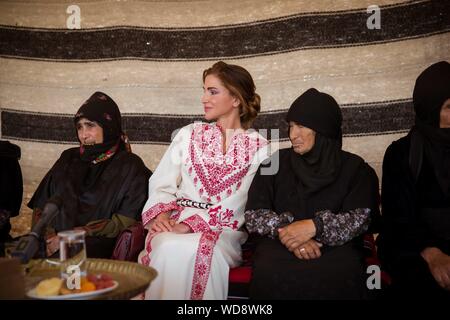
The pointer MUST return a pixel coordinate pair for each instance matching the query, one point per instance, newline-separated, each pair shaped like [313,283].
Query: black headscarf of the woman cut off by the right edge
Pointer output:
[431,90]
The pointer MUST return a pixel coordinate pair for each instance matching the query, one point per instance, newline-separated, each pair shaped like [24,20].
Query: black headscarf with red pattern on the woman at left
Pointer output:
[103,110]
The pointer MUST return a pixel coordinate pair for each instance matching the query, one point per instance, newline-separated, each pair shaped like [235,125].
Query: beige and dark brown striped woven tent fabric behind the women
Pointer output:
[149,57]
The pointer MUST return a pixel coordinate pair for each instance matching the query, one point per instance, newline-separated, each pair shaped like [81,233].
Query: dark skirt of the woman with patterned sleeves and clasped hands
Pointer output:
[338,274]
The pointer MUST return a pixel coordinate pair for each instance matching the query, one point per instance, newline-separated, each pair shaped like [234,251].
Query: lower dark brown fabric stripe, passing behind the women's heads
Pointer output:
[375,118]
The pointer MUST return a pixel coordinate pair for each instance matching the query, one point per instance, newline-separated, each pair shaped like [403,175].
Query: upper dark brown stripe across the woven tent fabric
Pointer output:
[294,33]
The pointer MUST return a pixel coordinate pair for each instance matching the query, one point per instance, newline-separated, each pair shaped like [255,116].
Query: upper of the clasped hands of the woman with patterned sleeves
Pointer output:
[297,233]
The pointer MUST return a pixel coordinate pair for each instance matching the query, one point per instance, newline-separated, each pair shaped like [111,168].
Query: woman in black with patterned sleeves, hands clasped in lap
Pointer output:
[312,210]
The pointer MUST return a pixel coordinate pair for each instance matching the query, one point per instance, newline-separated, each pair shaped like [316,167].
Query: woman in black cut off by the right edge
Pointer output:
[414,244]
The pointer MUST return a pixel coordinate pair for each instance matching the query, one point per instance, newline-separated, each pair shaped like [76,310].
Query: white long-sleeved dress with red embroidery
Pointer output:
[196,265]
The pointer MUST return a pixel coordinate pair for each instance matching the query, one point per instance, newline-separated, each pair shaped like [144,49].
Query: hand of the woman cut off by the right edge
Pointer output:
[439,265]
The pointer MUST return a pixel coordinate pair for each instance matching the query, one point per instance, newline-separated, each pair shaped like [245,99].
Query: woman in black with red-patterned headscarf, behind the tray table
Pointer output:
[103,186]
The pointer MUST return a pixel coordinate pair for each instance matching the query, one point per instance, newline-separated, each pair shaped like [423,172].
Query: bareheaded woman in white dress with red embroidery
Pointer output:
[198,192]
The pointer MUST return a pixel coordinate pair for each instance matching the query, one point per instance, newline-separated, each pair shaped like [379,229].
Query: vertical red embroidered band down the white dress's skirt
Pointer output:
[203,263]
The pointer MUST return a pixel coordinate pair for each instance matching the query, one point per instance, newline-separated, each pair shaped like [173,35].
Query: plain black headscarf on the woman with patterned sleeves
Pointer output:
[321,165]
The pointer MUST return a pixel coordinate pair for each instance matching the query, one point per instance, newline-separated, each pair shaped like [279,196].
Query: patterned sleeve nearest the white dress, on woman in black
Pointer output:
[265,222]
